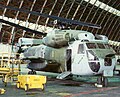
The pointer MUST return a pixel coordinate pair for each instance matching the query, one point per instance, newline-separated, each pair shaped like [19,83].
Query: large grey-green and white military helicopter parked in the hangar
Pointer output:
[69,52]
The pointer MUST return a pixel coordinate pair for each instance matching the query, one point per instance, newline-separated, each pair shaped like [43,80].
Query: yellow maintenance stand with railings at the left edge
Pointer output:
[9,67]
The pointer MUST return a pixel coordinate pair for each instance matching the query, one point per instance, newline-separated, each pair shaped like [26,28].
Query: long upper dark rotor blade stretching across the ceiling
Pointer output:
[69,21]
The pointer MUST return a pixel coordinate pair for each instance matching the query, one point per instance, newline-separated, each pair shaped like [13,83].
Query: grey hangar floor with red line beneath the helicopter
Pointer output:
[80,87]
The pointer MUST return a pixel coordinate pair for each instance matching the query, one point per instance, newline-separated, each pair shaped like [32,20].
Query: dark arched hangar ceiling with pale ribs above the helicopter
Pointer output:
[105,13]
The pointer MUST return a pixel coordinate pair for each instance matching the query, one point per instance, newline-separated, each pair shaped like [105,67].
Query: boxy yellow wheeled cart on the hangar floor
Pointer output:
[31,81]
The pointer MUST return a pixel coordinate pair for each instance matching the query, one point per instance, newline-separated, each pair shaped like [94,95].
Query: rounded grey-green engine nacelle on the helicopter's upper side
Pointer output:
[56,39]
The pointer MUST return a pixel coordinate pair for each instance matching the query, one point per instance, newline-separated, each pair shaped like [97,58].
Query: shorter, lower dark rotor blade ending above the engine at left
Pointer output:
[22,27]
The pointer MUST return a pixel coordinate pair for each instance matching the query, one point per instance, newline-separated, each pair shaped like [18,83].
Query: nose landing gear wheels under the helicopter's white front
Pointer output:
[102,82]
